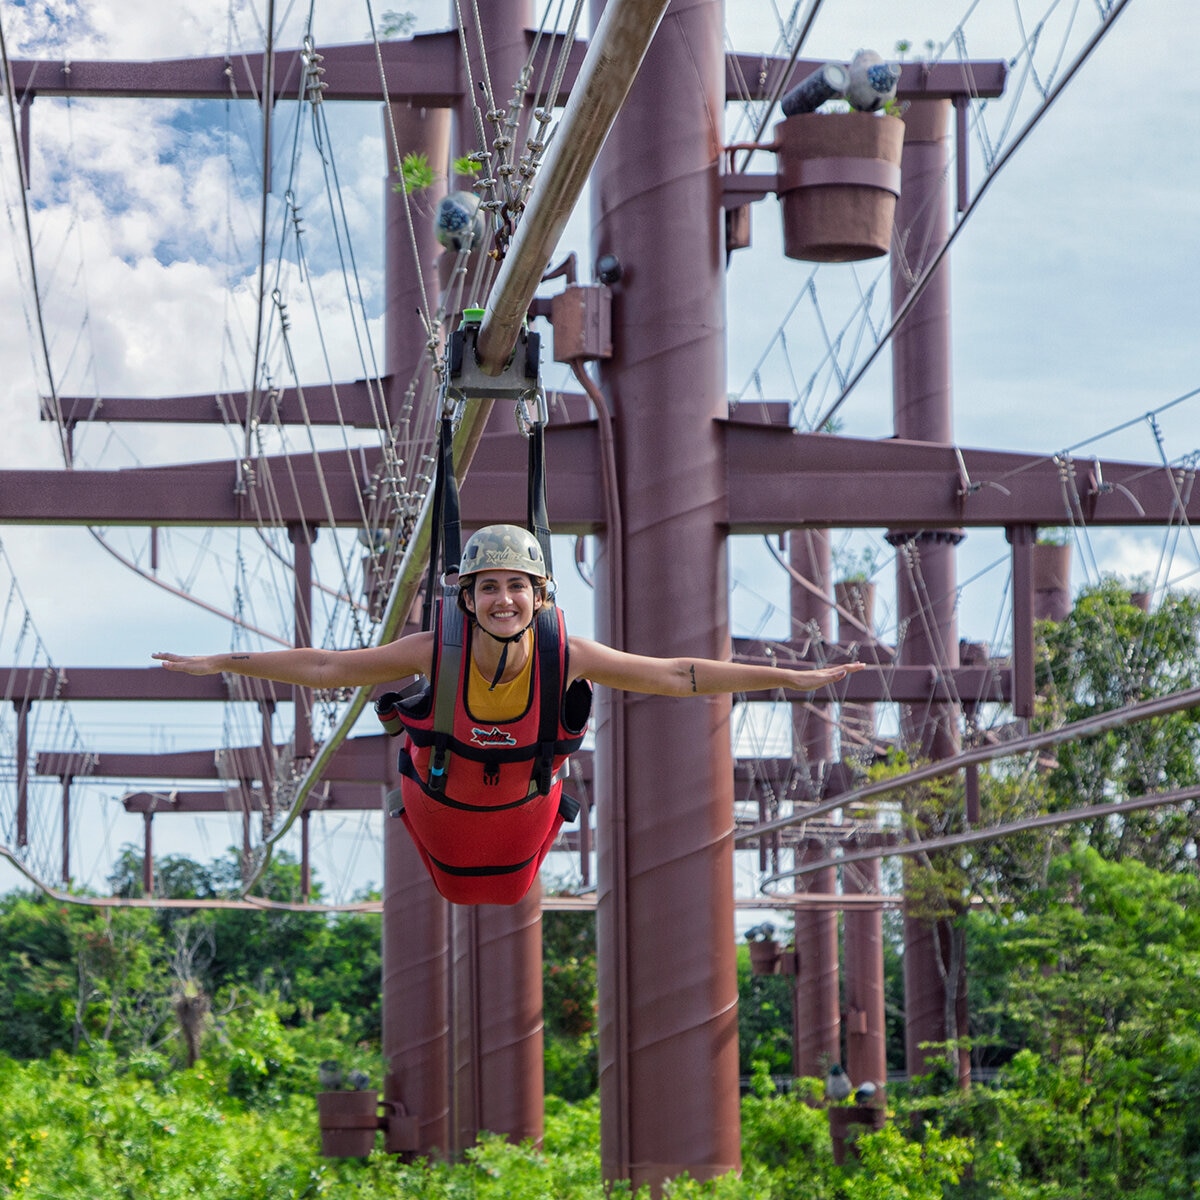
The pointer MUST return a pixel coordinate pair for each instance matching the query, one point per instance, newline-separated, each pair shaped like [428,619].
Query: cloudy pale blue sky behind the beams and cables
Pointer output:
[1073,283]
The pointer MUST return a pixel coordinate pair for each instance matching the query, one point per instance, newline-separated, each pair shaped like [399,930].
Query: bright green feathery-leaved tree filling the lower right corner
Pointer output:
[1097,977]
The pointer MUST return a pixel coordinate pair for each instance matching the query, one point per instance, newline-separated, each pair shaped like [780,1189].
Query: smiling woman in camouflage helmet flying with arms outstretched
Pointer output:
[484,801]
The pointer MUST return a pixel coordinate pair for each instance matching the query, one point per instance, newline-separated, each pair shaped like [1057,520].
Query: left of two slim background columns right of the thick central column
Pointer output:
[817,1005]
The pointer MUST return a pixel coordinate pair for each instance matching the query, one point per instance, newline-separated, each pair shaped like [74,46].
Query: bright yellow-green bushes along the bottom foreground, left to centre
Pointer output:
[93,1129]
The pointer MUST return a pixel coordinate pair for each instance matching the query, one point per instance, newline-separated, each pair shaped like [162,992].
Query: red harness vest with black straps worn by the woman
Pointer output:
[485,831]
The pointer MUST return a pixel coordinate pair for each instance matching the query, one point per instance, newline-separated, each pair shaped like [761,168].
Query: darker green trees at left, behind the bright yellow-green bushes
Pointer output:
[139,981]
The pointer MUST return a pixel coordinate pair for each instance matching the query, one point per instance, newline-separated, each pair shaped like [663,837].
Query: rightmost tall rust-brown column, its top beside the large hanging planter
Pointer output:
[926,584]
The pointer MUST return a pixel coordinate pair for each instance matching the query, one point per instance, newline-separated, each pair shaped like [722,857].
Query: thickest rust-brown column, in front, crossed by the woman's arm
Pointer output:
[669,1063]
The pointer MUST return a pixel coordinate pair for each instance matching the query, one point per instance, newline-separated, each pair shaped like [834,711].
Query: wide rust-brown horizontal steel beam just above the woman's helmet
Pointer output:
[779,481]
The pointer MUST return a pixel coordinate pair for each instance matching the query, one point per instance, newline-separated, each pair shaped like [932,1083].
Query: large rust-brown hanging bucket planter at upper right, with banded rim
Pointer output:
[839,178]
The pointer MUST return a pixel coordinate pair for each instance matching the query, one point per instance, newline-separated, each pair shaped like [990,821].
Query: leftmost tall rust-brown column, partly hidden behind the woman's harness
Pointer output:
[416,919]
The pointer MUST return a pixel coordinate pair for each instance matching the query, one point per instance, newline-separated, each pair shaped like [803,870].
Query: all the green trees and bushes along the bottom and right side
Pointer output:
[175,1053]
